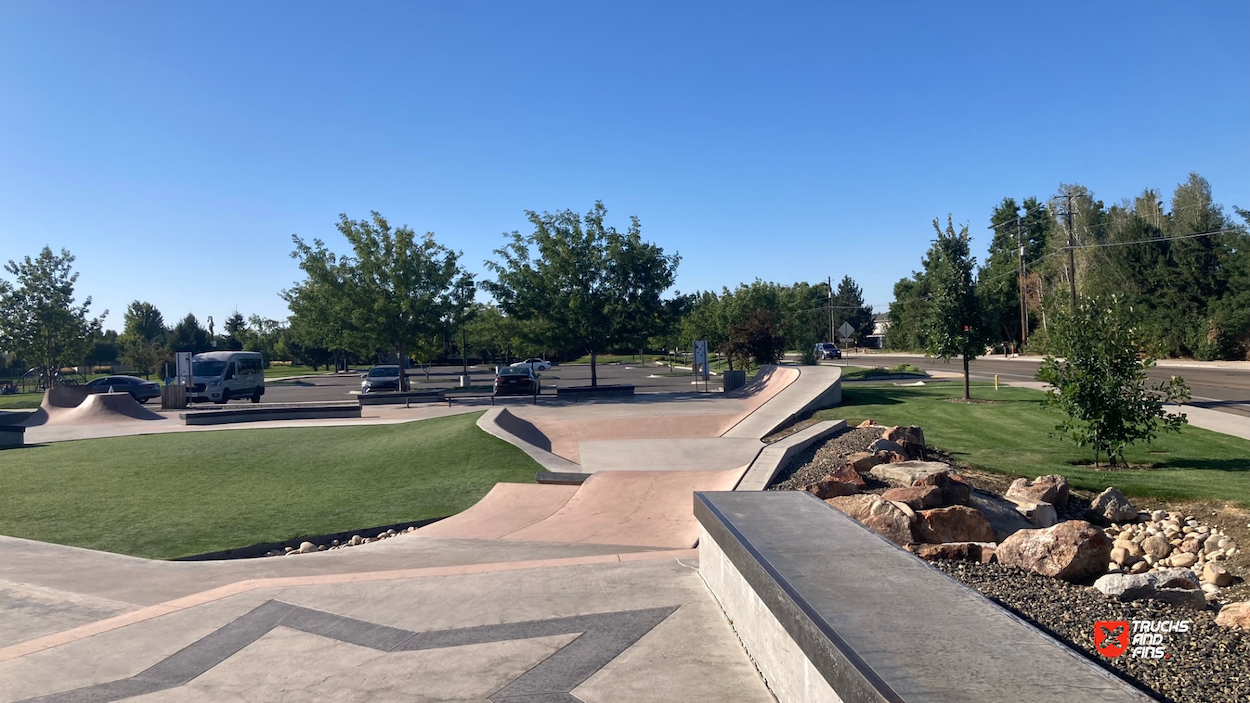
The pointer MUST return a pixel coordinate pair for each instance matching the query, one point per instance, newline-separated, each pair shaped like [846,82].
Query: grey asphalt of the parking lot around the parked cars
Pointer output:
[324,388]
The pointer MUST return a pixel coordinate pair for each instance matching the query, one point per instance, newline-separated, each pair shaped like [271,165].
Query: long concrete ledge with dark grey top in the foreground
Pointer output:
[832,612]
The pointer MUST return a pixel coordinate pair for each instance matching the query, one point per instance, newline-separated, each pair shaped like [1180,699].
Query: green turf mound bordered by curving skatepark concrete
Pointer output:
[191,493]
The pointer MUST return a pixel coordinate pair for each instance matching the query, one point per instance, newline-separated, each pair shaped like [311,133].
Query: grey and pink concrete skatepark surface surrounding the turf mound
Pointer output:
[536,594]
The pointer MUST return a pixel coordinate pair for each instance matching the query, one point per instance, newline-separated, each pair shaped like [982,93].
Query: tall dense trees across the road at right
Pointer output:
[1182,272]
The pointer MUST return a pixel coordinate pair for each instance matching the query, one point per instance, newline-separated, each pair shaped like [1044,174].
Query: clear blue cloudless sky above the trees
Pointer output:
[176,147]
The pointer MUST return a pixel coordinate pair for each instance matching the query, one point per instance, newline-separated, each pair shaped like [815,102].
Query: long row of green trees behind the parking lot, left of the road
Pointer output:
[571,286]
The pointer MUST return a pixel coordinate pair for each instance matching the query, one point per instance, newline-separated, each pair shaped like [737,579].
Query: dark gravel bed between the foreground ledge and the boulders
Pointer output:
[1207,665]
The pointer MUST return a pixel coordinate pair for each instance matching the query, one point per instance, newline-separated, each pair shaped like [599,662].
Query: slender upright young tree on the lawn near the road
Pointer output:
[954,325]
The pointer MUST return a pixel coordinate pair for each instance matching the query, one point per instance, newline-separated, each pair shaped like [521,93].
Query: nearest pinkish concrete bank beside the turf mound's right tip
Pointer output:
[626,508]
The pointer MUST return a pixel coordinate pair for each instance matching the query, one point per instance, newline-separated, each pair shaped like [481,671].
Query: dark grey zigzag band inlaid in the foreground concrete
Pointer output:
[601,639]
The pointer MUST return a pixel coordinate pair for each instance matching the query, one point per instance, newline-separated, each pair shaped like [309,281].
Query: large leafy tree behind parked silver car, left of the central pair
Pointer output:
[394,293]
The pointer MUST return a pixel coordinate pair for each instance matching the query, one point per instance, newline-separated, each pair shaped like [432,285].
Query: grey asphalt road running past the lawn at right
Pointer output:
[1218,390]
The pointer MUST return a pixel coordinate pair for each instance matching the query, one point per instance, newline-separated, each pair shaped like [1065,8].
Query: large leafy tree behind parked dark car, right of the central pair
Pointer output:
[587,286]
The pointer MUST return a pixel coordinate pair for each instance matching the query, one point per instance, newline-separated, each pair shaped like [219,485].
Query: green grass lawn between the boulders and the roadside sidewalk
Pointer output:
[1012,436]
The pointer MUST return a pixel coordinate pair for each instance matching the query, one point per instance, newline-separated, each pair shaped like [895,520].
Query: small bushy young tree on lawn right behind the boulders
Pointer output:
[1102,383]
